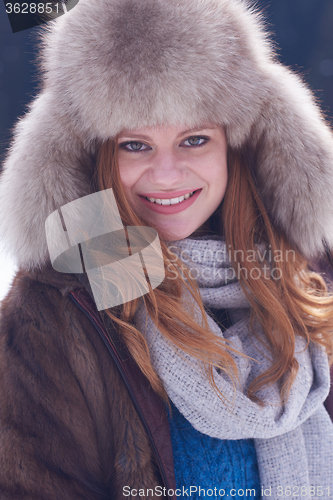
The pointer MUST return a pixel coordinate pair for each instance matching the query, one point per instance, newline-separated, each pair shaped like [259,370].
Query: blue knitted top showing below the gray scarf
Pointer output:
[221,468]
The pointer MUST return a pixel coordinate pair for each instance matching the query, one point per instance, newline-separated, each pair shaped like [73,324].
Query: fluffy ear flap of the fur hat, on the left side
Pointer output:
[47,166]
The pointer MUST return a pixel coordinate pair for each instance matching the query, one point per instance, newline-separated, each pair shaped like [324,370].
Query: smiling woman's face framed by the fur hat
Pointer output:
[173,177]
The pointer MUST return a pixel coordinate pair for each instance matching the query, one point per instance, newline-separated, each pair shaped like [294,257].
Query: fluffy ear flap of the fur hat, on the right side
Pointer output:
[294,163]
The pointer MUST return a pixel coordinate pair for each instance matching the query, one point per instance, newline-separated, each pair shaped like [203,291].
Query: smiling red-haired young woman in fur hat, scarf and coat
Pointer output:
[213,382]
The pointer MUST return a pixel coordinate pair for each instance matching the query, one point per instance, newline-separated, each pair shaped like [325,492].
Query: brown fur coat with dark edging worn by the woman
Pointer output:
[69,428]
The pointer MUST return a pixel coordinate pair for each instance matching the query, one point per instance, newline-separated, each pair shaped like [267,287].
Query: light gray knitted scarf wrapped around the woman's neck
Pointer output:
[293,441]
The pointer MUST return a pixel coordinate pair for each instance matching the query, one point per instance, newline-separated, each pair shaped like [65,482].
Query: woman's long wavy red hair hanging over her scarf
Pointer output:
[295,303]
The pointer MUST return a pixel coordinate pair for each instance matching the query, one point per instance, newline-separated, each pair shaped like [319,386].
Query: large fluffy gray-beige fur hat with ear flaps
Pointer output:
[114,64]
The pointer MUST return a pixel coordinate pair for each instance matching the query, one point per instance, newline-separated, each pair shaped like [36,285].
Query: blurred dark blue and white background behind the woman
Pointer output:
[301,29]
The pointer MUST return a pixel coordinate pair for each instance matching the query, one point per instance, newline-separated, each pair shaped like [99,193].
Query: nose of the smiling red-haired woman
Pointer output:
[167,170]
